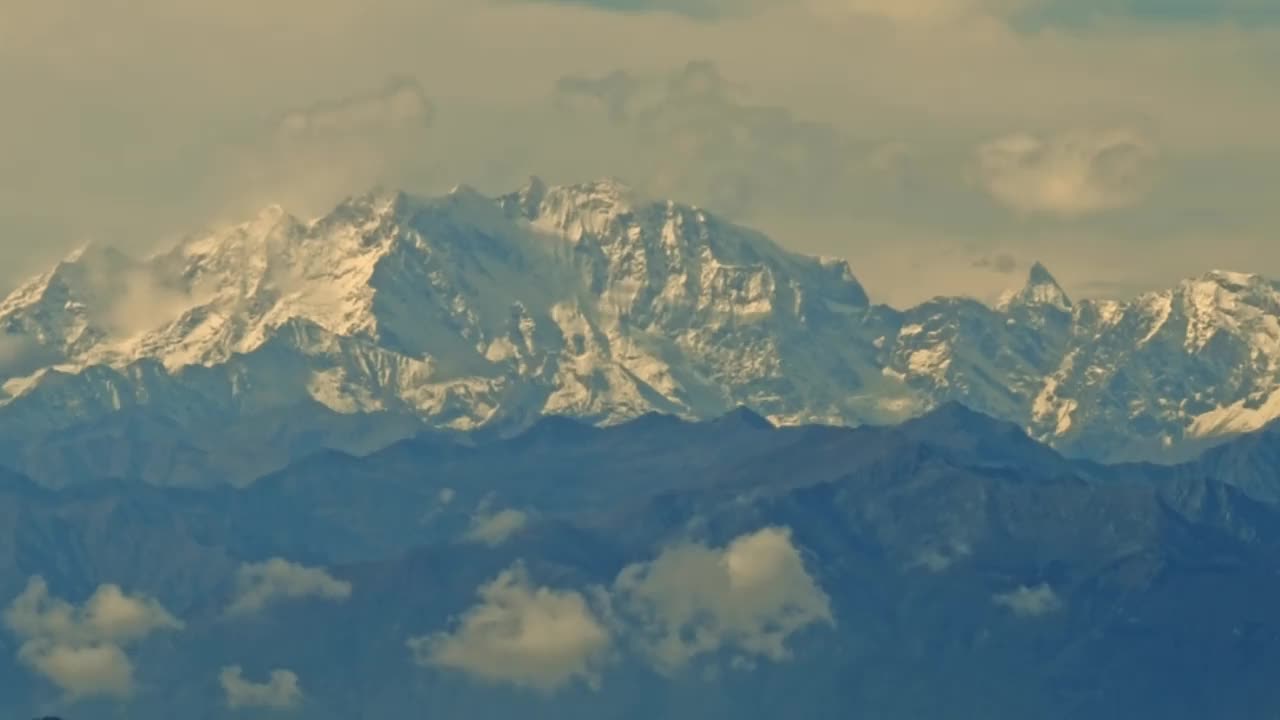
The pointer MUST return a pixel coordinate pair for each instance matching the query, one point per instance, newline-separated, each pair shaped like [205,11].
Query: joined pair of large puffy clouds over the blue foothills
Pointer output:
[747,600]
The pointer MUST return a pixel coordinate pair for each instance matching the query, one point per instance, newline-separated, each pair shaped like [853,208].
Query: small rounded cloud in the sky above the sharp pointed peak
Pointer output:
[1069,175]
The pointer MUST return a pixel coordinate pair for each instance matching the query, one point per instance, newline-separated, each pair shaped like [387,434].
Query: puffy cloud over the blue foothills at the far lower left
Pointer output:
[81,650]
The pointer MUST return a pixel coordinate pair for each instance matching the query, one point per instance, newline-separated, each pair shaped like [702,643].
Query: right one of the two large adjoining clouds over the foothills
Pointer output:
[749,598]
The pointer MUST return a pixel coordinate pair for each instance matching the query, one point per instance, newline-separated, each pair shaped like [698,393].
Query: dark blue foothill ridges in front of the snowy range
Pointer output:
[950,567]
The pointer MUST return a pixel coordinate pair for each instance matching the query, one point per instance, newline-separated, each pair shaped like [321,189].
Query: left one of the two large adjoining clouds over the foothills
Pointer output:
[528,636]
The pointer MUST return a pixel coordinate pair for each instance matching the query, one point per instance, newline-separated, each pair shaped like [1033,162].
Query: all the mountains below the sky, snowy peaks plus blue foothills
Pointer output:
[573,454]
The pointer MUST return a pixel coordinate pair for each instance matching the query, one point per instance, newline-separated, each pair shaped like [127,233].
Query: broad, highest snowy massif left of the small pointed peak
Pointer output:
[404,302]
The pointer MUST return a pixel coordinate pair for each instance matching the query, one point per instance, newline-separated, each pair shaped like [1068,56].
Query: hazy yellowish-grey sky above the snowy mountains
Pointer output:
[940,145]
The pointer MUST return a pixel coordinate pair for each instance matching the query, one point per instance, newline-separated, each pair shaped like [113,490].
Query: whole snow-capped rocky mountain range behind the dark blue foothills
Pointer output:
[591,302]
